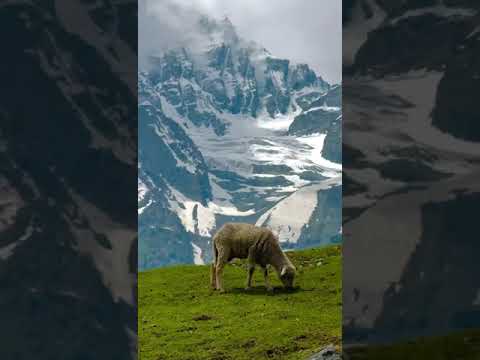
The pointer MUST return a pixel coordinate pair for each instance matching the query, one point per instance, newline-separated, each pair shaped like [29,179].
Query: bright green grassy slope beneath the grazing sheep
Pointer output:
[180,317]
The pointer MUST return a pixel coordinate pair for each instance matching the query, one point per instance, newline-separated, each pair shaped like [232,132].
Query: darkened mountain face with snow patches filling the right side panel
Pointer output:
[411,164]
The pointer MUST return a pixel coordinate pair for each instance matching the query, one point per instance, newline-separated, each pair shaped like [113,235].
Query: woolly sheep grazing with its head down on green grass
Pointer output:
[257,244]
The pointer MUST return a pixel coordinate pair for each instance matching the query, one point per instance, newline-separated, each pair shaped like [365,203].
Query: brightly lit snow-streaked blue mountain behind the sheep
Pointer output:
[229,132]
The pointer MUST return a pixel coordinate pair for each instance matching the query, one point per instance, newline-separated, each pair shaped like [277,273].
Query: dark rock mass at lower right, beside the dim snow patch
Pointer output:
[439,273]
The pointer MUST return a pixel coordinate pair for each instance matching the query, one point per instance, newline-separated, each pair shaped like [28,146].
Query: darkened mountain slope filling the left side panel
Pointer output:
[68,155]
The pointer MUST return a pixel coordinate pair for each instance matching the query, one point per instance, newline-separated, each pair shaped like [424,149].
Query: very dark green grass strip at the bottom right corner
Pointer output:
[464,345]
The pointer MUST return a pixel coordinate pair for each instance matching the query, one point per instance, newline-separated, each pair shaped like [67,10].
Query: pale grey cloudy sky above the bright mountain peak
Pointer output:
[306,31]
